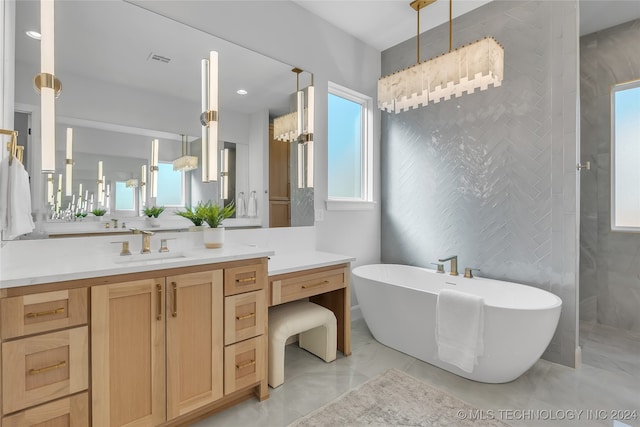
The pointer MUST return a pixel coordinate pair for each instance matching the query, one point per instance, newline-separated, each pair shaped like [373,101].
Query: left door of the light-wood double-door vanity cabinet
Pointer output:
[128,363]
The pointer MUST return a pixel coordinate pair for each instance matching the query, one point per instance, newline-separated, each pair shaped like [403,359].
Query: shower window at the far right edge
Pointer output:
[625,157]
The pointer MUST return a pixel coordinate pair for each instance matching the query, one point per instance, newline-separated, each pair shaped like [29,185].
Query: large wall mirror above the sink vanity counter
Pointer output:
[130,76]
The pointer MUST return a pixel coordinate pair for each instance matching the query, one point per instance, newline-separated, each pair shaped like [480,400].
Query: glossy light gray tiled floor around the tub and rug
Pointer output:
[607,384]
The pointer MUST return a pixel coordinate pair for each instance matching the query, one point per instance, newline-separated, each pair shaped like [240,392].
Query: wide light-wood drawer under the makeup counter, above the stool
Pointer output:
[296,286]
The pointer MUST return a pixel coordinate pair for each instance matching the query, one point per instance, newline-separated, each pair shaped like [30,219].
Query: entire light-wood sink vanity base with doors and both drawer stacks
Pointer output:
[139,349]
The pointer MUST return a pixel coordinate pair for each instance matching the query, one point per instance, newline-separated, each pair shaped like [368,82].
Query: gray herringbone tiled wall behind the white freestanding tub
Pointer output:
[491,176]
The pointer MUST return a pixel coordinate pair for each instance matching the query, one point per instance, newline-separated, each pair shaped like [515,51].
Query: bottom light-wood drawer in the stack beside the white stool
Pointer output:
[244,364]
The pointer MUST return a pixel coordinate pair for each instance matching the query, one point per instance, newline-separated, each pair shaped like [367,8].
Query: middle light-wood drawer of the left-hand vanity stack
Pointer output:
[45,367]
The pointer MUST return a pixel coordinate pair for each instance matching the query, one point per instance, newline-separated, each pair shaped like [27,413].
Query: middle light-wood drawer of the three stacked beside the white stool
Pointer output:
[245,316]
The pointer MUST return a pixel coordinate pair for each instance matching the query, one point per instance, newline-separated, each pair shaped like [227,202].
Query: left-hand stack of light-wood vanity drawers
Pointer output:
[45,359]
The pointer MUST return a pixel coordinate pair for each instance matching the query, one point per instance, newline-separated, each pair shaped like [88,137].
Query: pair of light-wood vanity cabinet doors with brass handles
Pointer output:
[129,344]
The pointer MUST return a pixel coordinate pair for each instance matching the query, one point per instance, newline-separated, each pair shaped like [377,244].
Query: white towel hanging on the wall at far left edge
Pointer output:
[15,199]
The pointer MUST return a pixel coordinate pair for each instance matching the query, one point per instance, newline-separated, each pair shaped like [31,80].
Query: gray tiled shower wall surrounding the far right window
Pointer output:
[609,261]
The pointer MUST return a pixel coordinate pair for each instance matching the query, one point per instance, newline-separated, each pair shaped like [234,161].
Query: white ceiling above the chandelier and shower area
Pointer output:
[385,23]
